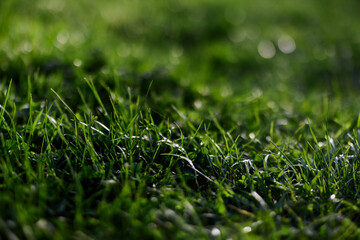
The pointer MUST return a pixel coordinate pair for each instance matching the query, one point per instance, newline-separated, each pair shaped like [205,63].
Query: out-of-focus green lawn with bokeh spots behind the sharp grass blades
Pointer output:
[195,53]
